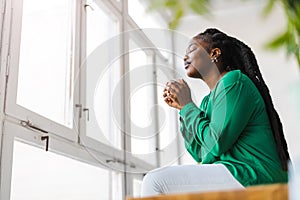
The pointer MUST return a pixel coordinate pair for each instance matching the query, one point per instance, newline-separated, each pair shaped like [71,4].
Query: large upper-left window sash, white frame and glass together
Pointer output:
[42,63]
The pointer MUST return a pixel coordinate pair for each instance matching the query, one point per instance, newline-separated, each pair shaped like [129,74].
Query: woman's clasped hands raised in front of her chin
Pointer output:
[177,94]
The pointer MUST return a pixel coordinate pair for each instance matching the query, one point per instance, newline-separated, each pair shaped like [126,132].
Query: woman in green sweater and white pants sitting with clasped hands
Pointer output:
[235,134]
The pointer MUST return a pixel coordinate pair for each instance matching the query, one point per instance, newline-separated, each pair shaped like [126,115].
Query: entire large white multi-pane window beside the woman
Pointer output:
[68,77]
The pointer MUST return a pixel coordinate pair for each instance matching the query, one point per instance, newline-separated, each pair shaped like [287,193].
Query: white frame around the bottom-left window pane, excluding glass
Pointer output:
[57,145]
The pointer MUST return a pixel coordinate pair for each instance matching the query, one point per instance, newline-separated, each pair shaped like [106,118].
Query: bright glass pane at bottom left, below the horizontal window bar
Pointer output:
[37,174]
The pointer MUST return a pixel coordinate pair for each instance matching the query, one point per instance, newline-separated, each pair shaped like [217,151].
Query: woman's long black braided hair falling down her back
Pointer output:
[237,55]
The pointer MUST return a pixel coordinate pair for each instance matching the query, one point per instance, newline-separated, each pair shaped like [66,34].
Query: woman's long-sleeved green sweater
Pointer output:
[232,128]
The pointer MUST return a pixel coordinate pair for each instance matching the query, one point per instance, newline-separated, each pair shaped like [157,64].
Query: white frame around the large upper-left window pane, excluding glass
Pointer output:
[17,111]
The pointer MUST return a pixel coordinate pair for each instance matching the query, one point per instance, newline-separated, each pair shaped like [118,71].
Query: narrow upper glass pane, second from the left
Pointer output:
[101,81]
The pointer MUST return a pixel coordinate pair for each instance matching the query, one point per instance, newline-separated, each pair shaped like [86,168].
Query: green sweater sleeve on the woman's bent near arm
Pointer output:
[232,107]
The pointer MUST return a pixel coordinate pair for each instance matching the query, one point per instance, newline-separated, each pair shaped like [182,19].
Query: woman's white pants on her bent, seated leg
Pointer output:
[188,178]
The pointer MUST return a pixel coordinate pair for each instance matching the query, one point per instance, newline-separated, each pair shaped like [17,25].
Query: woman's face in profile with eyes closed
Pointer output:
[197,61]
